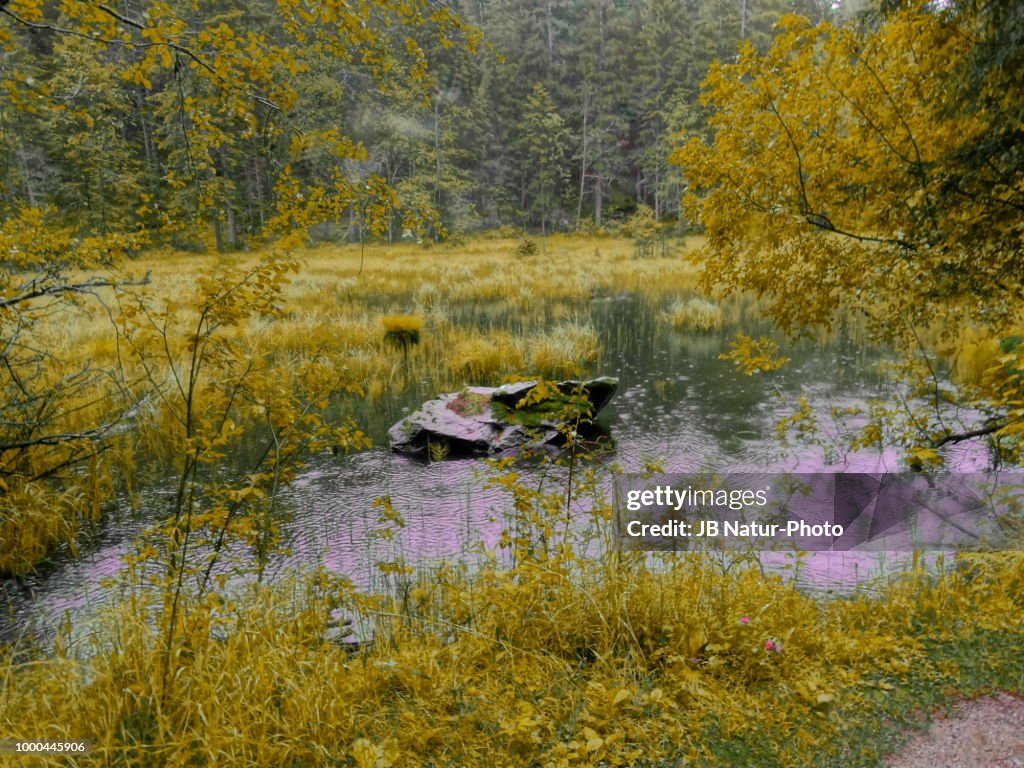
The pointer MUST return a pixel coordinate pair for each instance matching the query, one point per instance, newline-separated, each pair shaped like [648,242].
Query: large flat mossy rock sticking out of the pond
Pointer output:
[490,420]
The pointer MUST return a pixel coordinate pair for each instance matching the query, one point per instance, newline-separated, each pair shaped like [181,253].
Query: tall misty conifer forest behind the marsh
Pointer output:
[563,119]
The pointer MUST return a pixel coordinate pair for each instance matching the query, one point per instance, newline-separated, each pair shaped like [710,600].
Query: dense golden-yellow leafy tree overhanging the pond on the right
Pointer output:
[876,167]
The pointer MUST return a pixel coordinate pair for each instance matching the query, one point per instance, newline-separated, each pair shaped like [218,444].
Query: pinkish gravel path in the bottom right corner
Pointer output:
[986,733]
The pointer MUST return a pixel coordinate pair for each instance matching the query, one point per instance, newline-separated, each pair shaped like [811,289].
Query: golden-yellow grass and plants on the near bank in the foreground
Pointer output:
[556,664]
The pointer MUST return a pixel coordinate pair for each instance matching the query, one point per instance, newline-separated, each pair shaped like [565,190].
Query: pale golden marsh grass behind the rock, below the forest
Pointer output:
[333,311]
